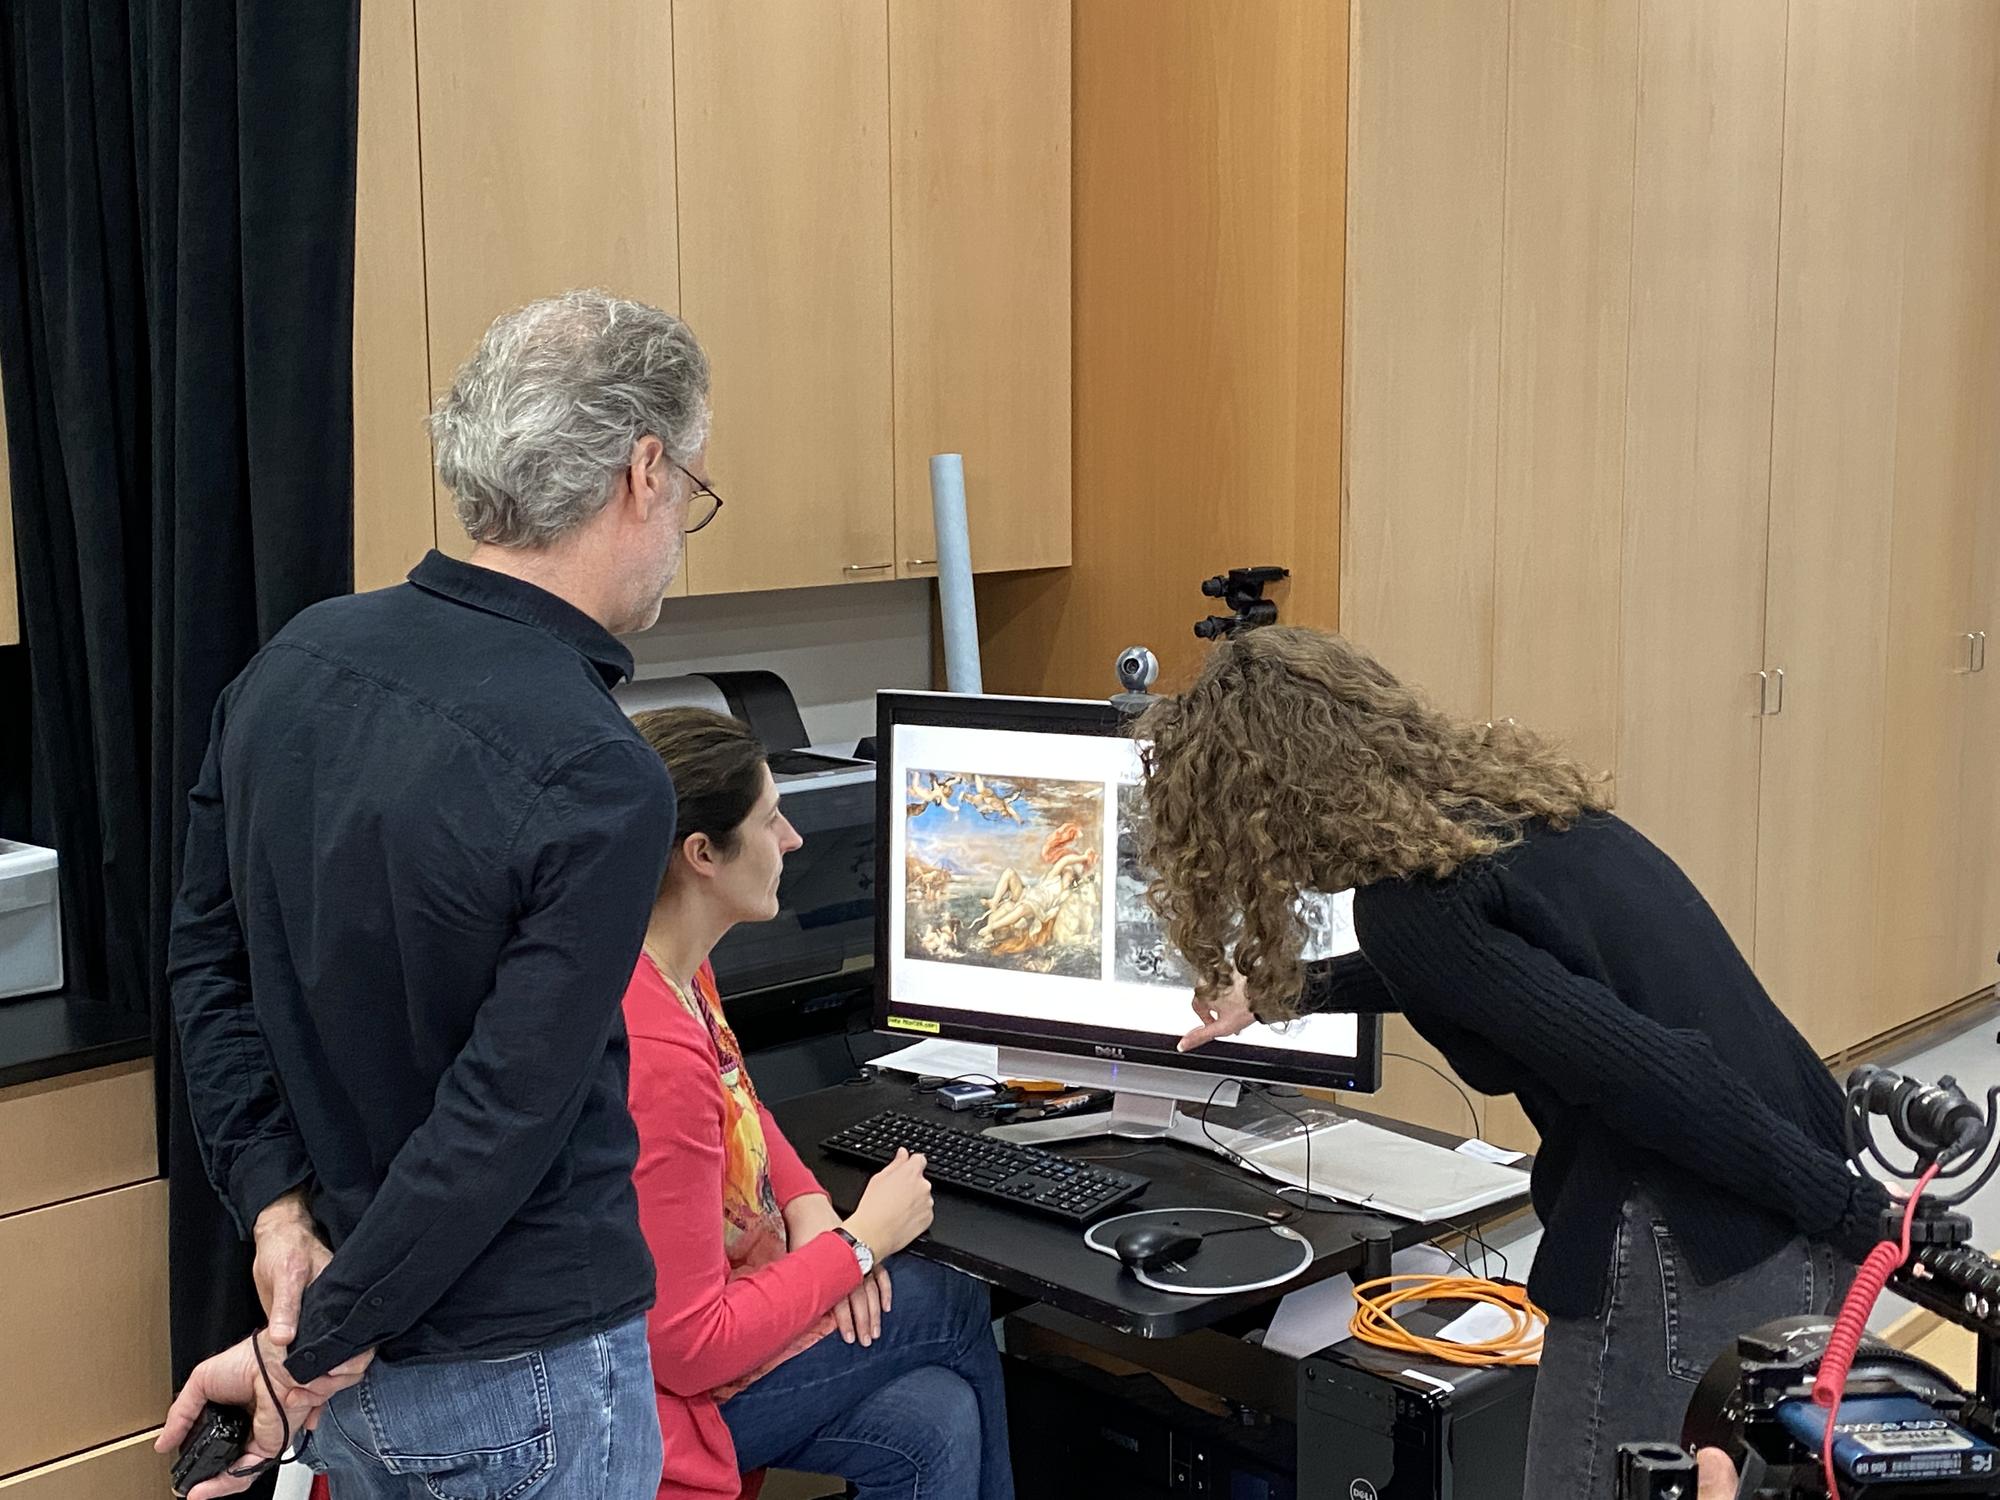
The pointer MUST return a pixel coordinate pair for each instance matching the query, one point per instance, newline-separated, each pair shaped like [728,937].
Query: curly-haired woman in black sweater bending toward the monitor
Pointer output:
[1691,1177]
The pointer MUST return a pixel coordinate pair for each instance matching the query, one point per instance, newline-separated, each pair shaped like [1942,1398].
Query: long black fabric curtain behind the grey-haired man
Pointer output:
[177,265]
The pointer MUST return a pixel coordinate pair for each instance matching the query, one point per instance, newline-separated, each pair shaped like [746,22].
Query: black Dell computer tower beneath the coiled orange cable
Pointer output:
[1383,1427]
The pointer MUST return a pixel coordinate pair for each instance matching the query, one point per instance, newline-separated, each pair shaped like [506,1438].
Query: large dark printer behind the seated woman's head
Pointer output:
[801,983]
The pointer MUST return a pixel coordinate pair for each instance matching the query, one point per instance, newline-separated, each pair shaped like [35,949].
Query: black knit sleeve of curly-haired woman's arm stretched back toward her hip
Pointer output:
[1659,1087]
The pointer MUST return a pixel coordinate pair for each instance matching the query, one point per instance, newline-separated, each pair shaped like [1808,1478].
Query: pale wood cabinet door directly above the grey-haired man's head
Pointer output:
[549,165]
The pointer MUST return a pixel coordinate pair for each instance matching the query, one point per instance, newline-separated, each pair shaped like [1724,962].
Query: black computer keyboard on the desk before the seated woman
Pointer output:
[1003,1171]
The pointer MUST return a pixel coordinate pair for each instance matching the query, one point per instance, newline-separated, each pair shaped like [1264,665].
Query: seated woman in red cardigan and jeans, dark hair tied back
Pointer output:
[757,1269]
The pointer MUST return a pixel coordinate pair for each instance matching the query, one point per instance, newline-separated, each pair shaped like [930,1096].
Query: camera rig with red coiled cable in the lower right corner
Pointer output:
[1811,1407]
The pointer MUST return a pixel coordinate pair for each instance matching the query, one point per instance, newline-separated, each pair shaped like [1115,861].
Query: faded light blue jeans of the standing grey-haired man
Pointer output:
[565,1423]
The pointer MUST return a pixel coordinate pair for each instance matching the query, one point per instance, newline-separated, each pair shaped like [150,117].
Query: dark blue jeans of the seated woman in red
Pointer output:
[919,1415]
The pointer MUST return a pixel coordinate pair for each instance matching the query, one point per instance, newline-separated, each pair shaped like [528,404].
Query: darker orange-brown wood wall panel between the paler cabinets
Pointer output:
[1209,207]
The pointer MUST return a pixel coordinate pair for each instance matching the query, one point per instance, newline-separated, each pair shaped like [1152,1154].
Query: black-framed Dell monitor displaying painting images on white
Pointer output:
[1011,905]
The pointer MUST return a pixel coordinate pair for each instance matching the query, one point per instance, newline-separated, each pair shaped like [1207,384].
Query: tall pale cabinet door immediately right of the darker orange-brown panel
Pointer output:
[1427,129]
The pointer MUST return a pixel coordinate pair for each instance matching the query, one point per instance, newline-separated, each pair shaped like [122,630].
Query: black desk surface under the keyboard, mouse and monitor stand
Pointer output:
[1049,1261]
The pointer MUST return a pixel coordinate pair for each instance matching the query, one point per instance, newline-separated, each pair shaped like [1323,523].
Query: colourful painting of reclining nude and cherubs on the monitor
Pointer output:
[1005,873]
